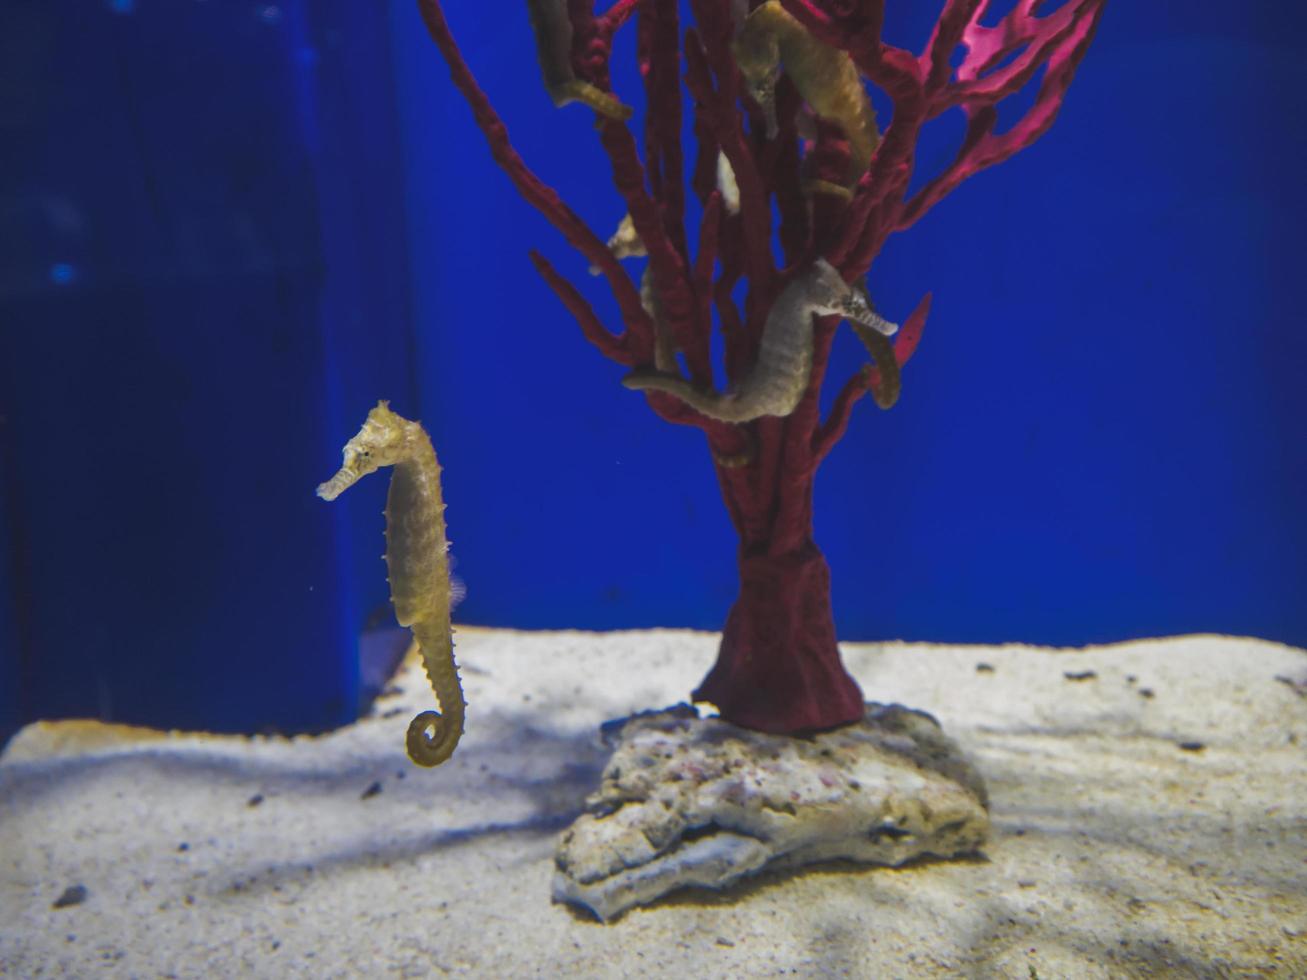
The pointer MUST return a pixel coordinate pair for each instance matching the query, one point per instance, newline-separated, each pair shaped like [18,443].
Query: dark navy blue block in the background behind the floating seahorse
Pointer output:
[202,293]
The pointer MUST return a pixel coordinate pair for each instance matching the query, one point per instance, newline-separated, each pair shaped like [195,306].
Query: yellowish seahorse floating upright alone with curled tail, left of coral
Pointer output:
[418,560]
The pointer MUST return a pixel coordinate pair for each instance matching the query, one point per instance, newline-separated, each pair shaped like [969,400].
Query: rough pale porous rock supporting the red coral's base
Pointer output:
[697,802]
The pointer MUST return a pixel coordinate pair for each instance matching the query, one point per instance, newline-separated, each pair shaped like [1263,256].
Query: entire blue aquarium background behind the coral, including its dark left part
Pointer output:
[228,229]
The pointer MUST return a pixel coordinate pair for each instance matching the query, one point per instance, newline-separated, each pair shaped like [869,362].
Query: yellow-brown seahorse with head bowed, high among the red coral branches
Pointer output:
[770,41]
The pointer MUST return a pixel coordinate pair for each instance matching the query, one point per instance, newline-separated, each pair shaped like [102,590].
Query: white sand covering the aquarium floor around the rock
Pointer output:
[1116,851]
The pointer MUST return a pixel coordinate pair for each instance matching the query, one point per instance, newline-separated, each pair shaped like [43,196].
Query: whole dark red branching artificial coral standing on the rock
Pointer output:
[840,190]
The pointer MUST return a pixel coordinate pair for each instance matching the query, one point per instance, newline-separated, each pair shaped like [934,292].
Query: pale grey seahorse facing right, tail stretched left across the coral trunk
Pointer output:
[780,377]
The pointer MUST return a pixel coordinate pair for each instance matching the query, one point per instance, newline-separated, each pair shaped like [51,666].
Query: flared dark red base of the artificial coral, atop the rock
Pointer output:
[778,668]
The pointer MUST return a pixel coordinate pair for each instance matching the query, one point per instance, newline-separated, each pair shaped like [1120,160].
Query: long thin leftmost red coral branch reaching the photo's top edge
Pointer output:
[531,188]
